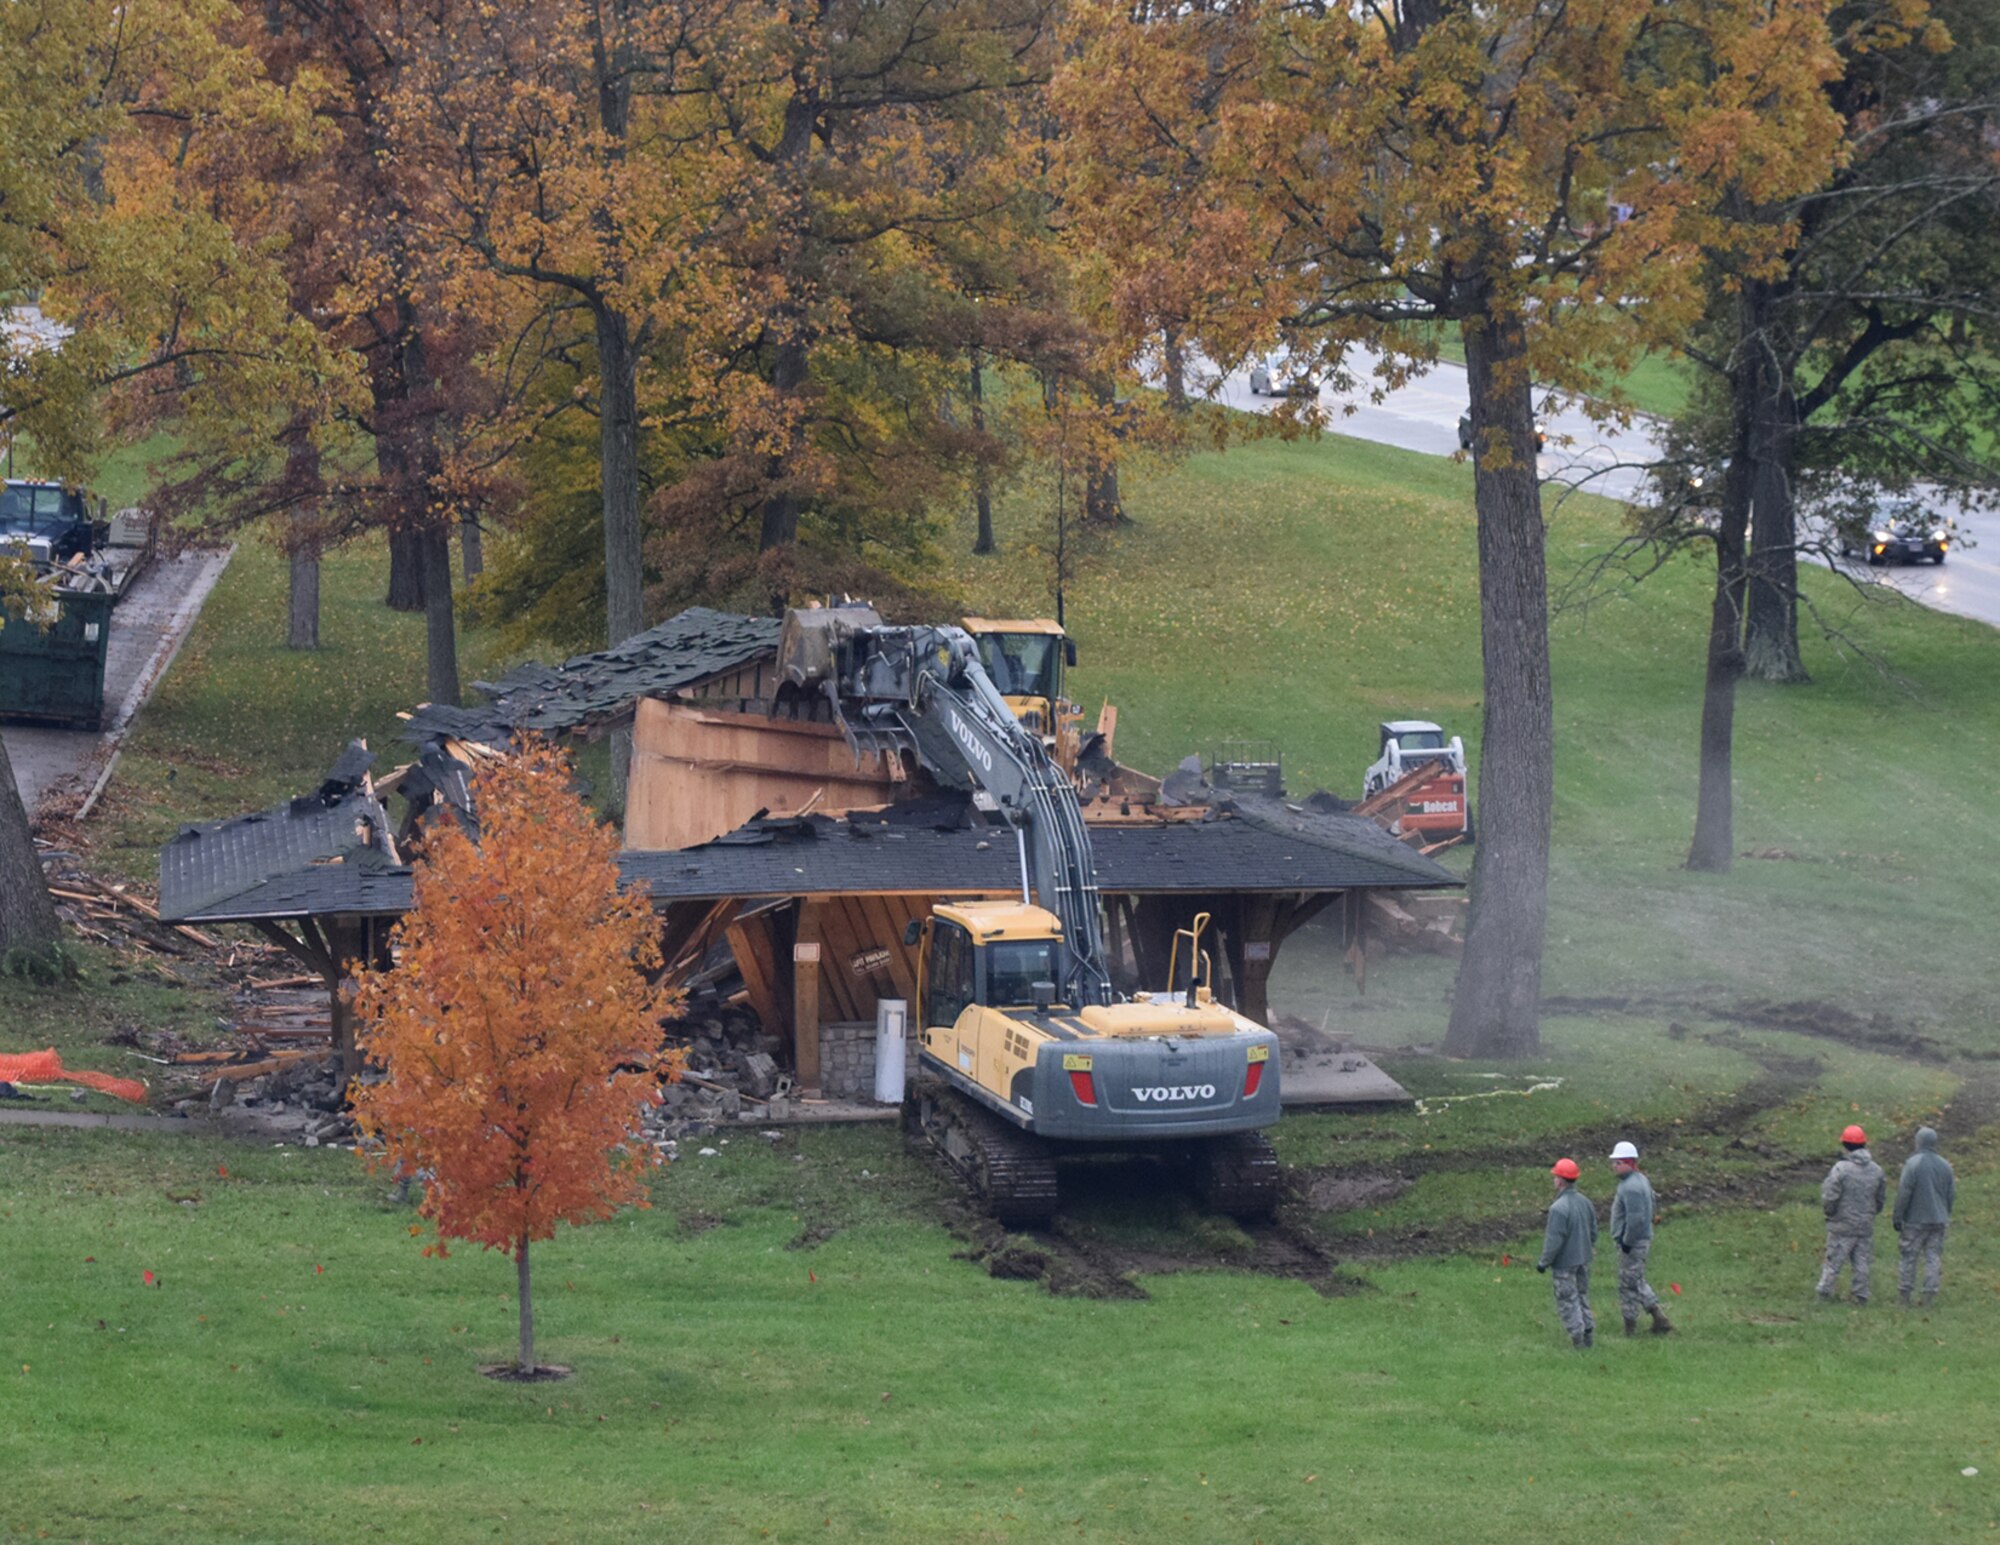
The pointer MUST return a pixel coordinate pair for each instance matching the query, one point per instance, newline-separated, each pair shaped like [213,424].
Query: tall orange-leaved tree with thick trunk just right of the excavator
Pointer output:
[1539,177]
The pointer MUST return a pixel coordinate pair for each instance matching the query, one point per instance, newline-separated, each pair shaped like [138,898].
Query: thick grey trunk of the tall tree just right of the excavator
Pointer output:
[1497,1004]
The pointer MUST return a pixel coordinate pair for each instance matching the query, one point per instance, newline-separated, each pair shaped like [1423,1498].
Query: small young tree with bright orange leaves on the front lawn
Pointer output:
[519,1034]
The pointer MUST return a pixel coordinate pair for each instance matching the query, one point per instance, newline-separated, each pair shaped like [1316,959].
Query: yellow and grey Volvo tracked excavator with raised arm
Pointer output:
[1025,1052]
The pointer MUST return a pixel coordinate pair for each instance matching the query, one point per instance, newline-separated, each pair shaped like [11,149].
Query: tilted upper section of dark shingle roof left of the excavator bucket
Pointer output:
[691,647]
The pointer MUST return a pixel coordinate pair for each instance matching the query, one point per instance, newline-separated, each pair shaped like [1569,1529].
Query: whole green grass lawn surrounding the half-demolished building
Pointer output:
[737,1380]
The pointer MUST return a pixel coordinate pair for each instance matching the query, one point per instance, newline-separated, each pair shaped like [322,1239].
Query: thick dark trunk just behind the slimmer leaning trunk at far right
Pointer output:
[1771,633]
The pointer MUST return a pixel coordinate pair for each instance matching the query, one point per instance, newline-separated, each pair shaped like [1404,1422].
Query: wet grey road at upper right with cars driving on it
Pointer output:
[1609,459]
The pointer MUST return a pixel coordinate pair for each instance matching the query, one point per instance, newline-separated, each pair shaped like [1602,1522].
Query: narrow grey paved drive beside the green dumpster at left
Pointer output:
[147,629]
